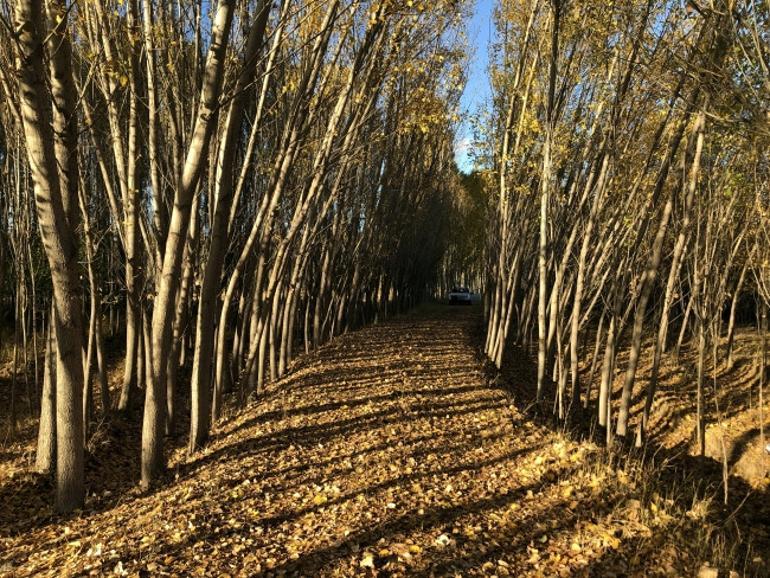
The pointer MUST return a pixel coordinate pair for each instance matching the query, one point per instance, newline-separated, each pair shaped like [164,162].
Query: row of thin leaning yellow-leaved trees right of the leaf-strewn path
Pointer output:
[628,143]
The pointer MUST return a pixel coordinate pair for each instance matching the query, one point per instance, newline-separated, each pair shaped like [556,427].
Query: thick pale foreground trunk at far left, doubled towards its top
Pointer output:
[56,200]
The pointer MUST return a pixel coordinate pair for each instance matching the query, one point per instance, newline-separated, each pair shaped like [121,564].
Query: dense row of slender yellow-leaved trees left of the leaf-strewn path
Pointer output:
[244,179]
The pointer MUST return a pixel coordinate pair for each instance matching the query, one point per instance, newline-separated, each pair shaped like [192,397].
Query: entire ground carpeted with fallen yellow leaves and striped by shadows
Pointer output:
[392,451]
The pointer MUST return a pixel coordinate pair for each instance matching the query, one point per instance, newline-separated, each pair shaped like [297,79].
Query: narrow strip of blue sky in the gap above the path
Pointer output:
[477,90]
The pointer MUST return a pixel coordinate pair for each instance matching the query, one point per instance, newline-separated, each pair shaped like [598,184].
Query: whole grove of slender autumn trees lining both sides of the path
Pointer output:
[197,192]
